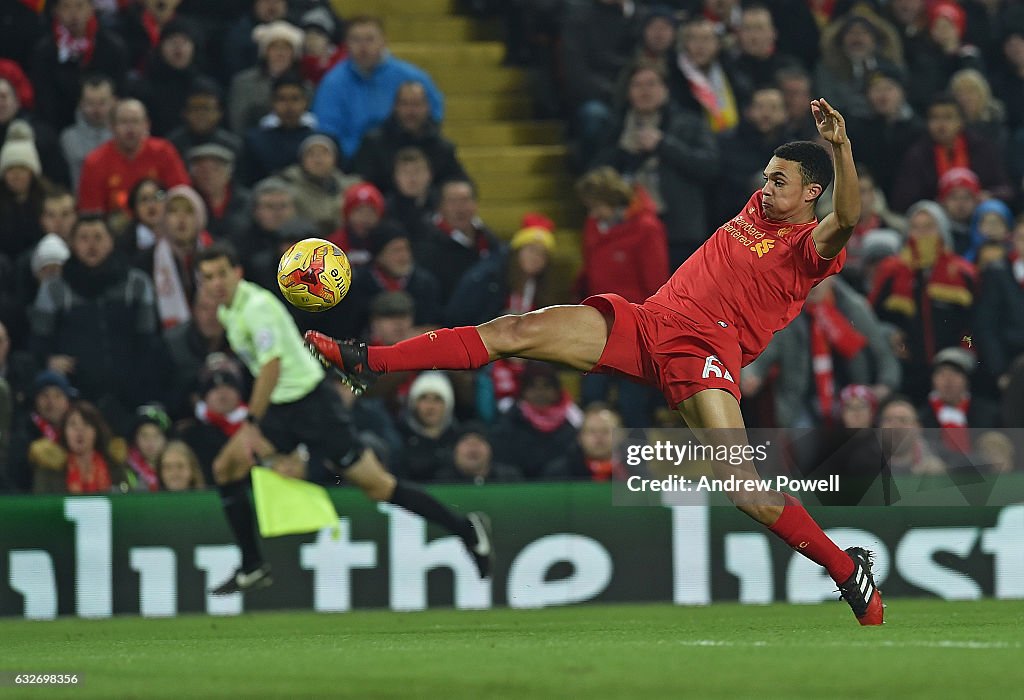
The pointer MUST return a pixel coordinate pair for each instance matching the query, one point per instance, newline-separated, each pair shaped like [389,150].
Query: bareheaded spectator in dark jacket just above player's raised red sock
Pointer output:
[458,239]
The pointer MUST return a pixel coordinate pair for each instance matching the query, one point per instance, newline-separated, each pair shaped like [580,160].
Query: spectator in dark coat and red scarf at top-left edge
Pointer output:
[77,47]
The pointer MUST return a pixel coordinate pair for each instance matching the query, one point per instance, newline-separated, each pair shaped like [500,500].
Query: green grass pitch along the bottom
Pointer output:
[928,649]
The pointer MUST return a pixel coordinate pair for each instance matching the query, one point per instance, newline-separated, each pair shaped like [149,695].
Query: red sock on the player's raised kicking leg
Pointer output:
[459,348]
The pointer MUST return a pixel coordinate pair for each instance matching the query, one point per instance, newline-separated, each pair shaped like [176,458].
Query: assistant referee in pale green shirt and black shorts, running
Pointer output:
[292,404]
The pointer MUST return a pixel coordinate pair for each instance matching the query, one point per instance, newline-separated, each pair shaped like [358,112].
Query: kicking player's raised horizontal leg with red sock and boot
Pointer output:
[572,335]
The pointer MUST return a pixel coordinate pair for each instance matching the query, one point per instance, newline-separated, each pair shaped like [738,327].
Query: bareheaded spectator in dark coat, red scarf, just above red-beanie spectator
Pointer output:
[946,147]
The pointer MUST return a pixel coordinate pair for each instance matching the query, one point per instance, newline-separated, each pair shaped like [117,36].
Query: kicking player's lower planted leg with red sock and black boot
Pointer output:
[715,418]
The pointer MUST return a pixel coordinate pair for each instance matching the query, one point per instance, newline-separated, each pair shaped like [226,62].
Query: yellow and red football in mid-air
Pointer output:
[315,275]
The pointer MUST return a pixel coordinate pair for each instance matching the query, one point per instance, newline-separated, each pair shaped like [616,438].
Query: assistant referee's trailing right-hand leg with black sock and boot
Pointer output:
[379,485]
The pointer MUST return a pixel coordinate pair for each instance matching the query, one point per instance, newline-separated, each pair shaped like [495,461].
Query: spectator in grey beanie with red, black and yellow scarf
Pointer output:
[927,292]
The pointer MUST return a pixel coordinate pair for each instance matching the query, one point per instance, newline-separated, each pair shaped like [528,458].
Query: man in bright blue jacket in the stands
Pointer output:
[359,94]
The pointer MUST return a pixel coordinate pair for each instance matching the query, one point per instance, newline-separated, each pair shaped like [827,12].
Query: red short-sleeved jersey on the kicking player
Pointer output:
[753,275]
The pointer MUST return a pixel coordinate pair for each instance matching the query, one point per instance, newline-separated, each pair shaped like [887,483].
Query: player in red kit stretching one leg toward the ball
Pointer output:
[693,337]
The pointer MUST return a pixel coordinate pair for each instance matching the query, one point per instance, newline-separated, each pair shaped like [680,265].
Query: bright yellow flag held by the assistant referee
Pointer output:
[286,506]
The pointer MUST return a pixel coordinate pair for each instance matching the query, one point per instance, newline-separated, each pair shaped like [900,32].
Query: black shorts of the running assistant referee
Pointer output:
[323,424]
